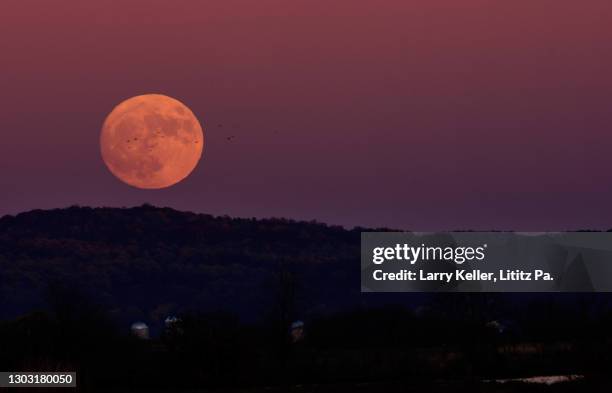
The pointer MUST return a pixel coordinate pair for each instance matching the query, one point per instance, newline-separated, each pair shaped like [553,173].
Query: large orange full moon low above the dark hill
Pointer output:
[151,141]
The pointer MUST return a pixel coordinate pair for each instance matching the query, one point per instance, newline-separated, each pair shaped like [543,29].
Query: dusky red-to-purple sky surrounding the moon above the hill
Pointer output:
[426,114]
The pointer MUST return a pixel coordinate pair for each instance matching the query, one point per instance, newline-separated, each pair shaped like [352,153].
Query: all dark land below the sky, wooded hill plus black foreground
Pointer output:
[134,299]
